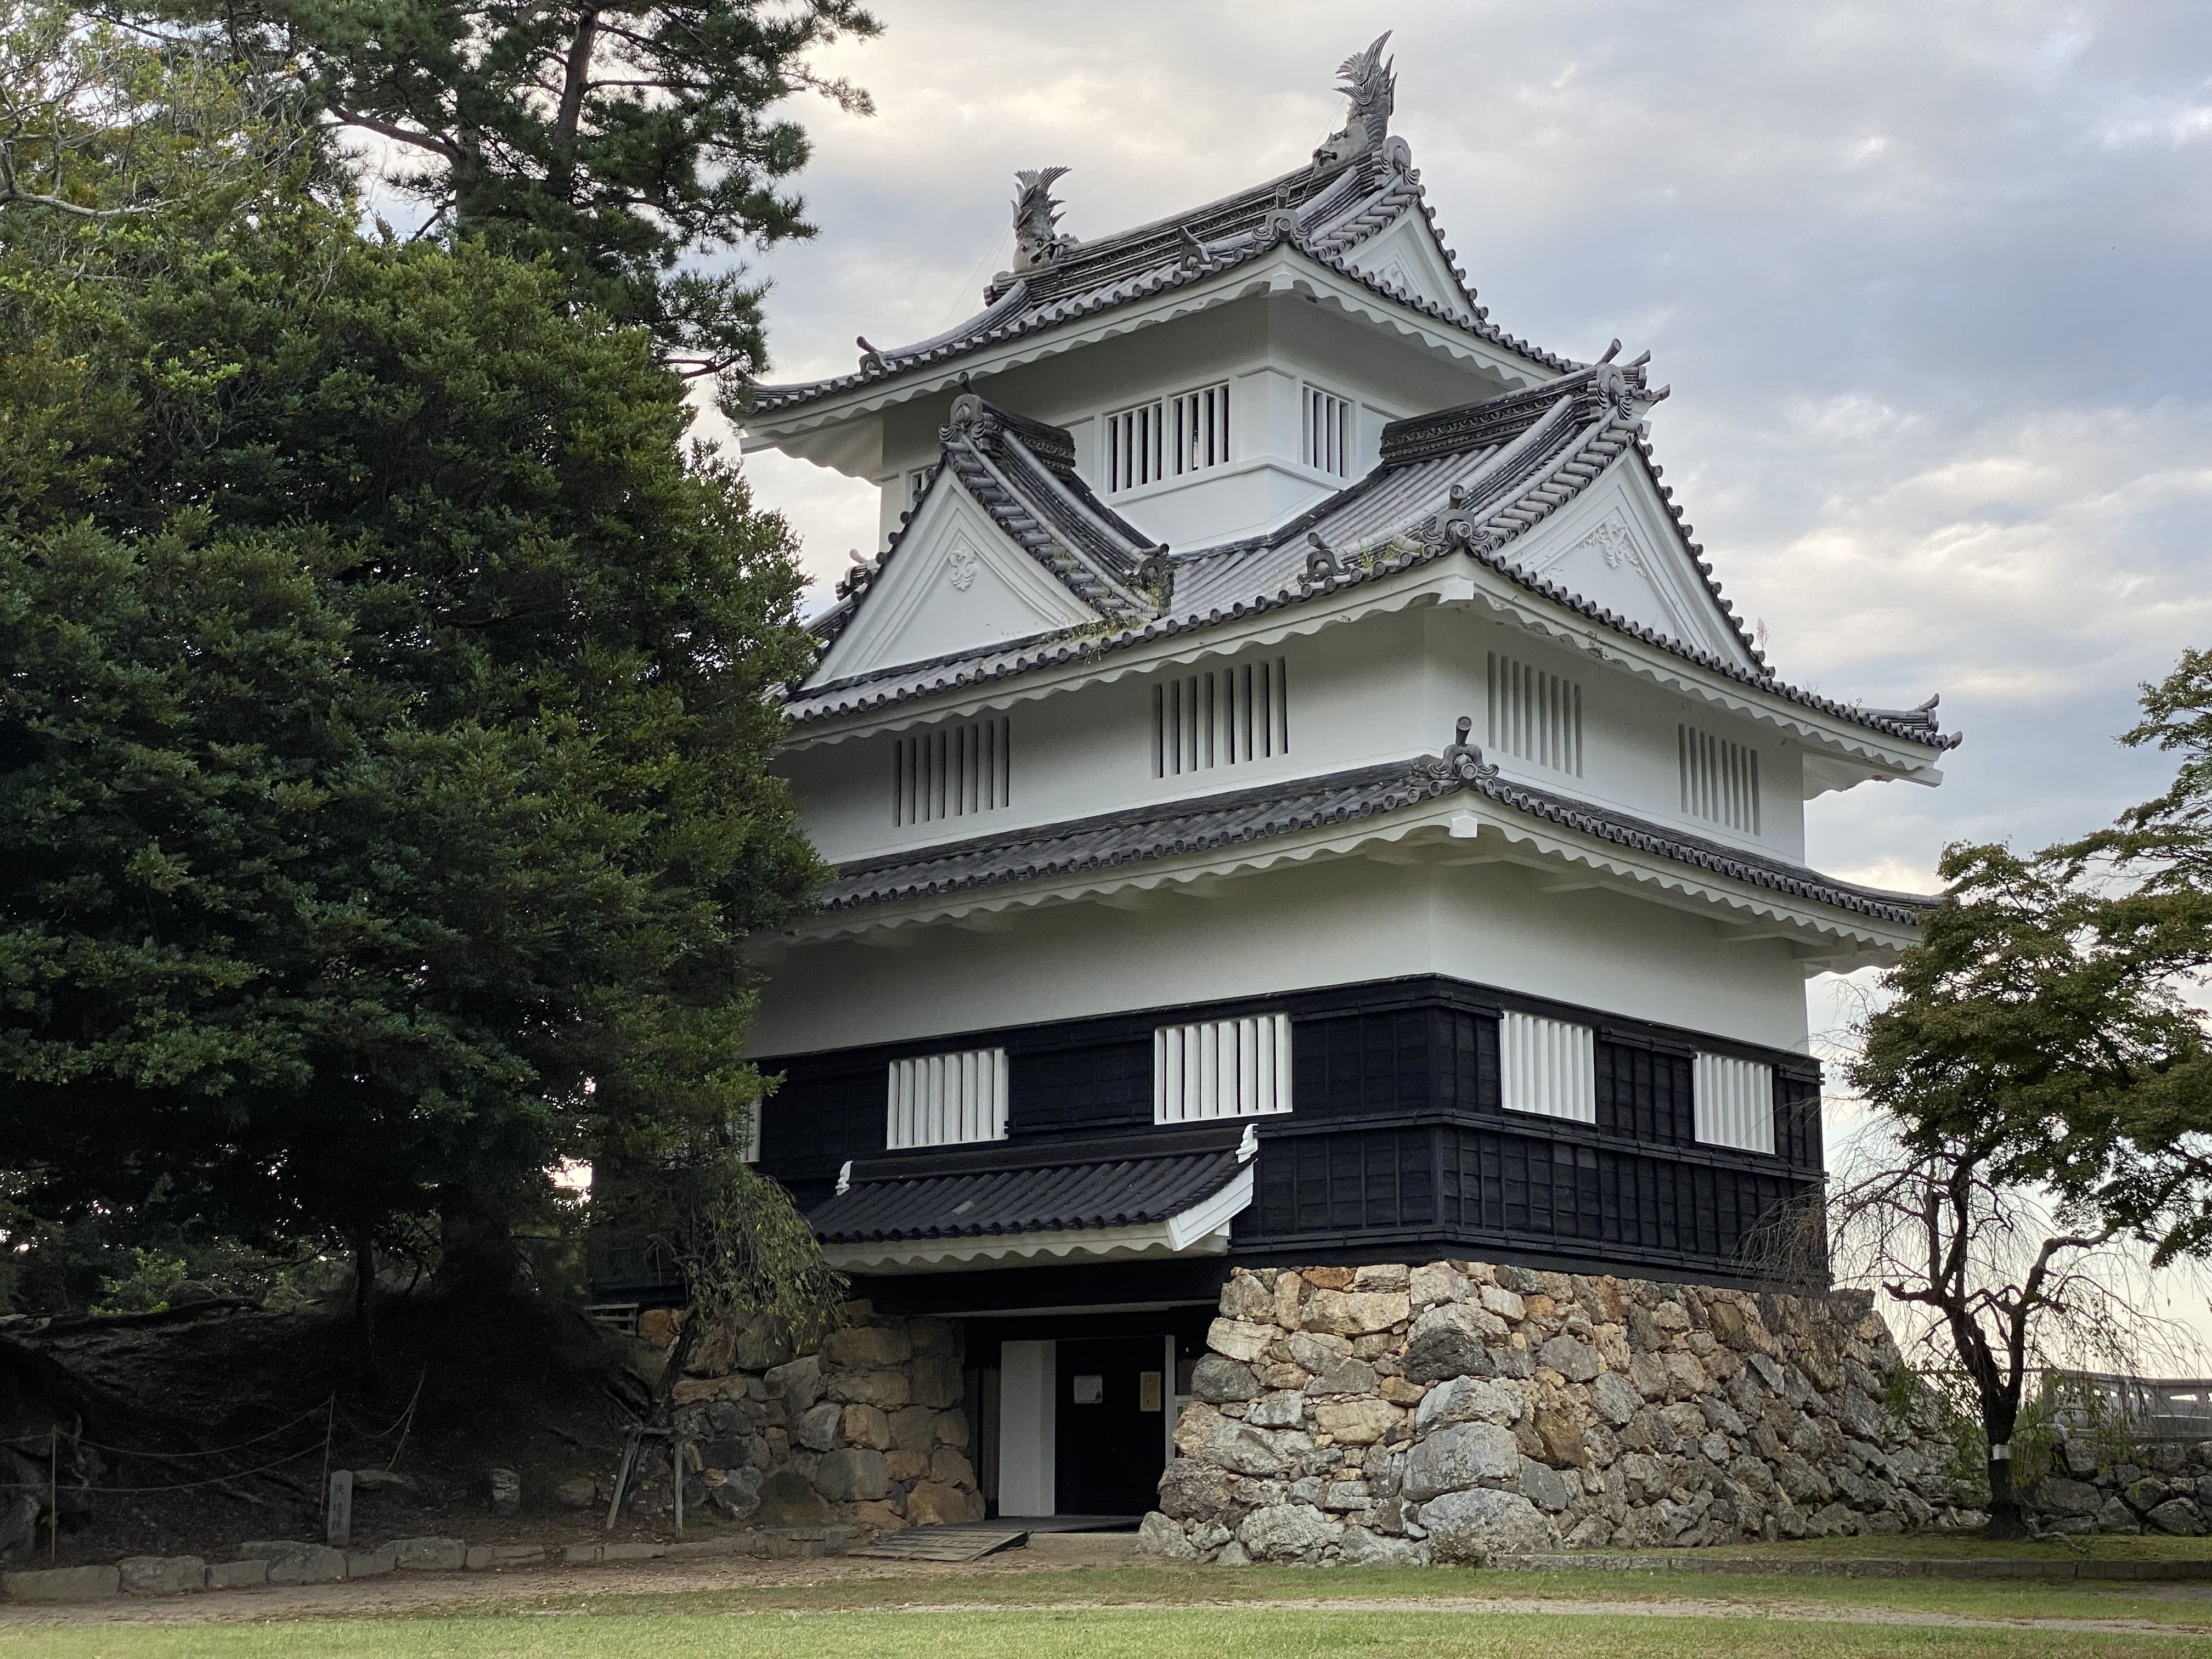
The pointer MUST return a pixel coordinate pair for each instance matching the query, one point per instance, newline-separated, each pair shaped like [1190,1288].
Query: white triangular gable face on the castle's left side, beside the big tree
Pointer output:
[952,583]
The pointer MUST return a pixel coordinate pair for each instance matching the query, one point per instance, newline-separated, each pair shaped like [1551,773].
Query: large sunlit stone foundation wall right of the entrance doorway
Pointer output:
[1459,1410]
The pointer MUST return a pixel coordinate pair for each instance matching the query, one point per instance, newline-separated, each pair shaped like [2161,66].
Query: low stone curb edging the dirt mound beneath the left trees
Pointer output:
[278,1565]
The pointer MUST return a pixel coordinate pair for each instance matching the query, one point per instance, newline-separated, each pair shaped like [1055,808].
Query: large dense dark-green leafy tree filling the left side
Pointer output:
[384,733]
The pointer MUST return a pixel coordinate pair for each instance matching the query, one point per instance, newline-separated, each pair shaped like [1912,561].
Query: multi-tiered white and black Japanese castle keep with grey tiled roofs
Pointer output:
[1300,802]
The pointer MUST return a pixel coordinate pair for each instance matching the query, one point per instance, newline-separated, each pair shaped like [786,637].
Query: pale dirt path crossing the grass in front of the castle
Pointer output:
[556,1592]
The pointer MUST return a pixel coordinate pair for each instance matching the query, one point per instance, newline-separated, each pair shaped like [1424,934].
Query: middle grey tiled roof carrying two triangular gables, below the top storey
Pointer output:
[1465,481]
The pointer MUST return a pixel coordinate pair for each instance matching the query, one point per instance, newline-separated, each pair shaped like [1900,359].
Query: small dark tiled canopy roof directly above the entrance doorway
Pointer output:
[1067,1196]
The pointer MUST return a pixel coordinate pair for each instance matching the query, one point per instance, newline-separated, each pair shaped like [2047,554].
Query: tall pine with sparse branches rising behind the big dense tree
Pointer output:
[625,140]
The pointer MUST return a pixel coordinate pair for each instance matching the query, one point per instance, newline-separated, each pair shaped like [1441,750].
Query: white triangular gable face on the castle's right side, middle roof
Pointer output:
[1618,547]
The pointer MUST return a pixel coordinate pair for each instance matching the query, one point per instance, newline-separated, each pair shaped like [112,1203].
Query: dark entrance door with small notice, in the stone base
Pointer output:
[1112,1428]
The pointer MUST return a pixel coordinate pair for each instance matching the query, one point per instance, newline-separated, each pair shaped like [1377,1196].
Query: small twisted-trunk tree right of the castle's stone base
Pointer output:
[2043,1094]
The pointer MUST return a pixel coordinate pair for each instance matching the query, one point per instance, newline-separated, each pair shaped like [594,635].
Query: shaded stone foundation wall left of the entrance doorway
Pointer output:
[868,1432]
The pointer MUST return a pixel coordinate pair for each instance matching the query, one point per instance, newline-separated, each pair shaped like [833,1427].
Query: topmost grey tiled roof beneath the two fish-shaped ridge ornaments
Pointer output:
[1322,213]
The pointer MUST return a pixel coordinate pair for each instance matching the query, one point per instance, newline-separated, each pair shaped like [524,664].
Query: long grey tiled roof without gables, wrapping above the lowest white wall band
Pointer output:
[1308,804]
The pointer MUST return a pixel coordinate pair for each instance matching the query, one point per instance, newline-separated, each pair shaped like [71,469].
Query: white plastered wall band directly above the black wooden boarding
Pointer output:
[1331,924]
